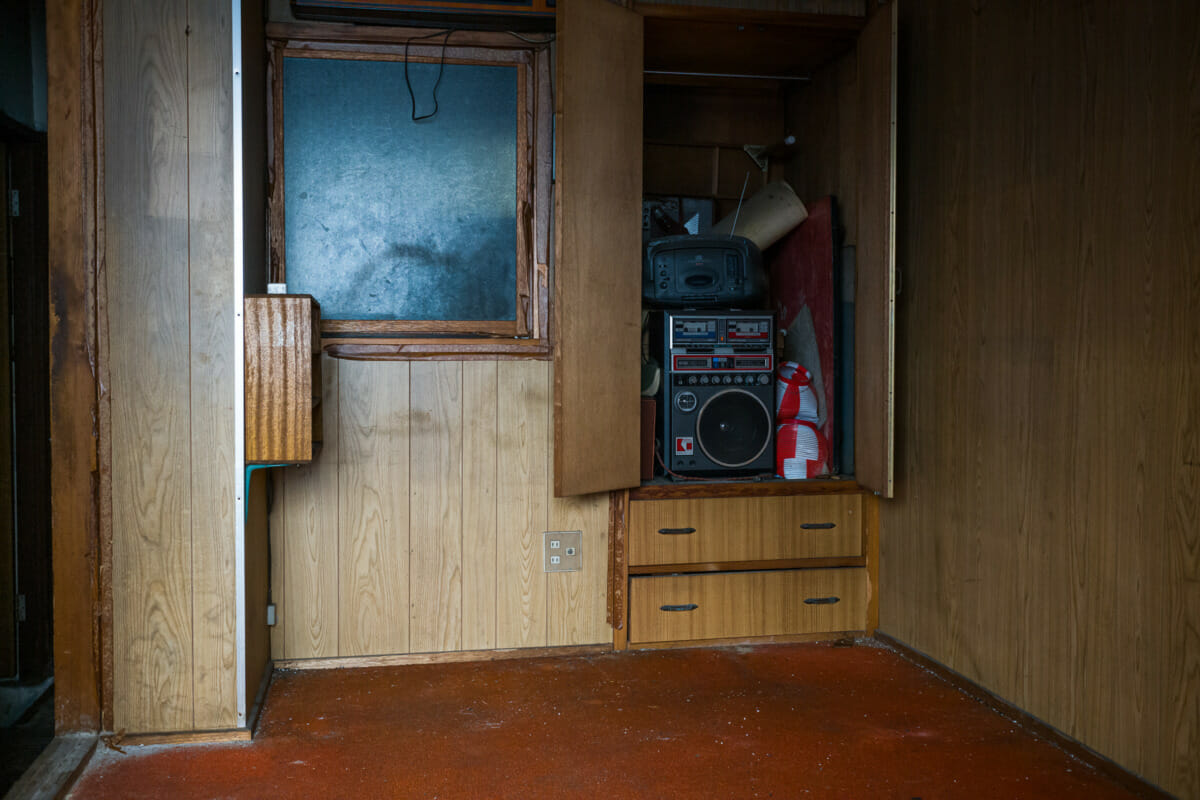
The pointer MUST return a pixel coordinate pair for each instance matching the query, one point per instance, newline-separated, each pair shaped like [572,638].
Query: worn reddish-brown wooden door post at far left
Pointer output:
[76,159]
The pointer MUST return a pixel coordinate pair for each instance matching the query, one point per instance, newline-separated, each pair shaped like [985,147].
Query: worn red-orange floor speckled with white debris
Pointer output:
[777,721]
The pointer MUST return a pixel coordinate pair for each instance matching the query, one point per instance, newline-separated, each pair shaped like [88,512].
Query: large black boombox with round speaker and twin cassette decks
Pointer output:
[717,404]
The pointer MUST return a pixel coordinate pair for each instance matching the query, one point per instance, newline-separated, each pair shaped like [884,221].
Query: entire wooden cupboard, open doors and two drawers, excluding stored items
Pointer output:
[757,561]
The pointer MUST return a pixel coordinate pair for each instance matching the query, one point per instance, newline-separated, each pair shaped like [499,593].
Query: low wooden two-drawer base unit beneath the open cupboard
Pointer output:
[769,561]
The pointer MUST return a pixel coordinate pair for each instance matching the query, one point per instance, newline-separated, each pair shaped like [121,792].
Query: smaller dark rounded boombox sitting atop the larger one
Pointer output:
[707,270]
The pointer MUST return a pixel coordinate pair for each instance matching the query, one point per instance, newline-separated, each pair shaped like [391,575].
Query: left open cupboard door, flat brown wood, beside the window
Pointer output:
[598,261]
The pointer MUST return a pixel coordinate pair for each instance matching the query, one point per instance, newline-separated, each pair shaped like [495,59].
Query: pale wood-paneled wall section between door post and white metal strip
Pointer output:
[170,335]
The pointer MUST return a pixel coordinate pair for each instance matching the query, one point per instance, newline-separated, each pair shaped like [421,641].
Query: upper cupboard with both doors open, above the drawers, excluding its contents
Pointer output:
[604,55]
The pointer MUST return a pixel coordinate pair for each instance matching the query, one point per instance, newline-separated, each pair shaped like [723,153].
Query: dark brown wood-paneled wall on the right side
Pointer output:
[1045,537]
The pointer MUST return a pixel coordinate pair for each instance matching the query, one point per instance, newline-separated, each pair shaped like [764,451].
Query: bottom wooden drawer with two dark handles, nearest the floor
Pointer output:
[734,605]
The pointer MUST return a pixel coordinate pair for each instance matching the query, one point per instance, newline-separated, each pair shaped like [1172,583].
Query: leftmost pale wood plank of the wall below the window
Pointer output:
[309,538]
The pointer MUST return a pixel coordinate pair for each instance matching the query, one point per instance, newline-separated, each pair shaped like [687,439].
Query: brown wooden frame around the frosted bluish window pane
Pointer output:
[529,334]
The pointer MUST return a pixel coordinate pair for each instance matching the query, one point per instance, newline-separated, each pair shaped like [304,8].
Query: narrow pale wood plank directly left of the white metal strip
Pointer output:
[213,360]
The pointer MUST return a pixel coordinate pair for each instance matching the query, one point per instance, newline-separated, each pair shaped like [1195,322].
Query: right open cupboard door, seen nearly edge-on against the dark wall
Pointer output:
[875,292]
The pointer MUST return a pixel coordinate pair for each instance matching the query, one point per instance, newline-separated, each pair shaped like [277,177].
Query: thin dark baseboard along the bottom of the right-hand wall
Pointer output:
[1108,768]
